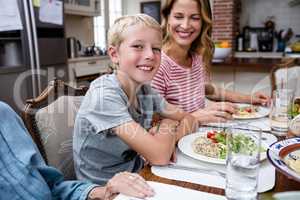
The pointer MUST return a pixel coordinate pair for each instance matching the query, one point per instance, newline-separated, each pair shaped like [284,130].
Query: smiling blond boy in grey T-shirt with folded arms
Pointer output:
[113,126]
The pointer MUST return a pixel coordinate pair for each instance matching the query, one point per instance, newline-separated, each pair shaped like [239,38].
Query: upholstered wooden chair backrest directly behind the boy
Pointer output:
[50,120]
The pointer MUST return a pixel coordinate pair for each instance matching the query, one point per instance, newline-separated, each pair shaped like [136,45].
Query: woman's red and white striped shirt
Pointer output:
[181,86]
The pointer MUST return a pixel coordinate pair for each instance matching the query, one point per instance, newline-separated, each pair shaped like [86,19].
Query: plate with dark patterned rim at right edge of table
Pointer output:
[279,150]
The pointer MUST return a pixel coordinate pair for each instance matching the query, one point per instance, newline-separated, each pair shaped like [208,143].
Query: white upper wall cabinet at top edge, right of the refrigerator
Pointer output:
[82,7]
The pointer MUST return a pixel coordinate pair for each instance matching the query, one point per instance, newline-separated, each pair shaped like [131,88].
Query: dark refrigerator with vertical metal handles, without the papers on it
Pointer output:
[31,57]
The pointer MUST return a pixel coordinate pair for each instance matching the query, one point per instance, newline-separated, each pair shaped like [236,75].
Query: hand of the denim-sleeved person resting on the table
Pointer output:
[130,184]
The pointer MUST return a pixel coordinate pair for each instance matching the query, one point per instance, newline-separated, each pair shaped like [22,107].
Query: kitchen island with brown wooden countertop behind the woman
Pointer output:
[247,75]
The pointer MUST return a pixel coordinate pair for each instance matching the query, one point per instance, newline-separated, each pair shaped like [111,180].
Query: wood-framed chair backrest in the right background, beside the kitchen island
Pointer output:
[286,75]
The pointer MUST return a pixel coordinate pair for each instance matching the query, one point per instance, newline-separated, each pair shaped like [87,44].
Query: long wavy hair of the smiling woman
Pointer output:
[203,44]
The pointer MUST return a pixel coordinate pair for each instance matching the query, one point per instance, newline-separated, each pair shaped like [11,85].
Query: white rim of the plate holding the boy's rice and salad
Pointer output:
[185,146]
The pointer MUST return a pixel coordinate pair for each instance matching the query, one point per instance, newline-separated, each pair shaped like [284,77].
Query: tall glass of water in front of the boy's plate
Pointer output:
[243,156]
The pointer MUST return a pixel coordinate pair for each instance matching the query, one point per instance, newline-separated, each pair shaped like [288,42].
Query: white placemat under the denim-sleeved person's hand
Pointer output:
[166,192]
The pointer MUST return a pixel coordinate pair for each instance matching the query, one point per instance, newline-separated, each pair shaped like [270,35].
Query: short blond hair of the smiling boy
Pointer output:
[115,33]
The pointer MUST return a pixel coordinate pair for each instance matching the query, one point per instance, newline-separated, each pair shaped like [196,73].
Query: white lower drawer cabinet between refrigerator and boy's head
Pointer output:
[83,70]
